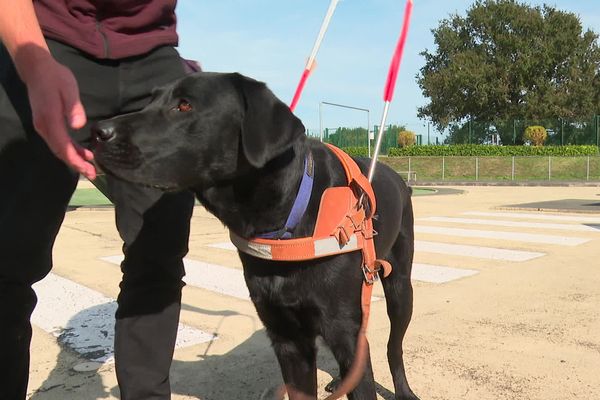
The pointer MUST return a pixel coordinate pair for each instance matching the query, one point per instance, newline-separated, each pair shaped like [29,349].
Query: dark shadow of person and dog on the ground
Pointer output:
[249,371]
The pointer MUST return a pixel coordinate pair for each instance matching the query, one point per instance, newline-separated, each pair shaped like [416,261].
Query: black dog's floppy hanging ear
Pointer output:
[268,126]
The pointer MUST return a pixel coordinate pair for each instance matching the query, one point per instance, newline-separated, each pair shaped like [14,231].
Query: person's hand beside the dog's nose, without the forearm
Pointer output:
[54,98]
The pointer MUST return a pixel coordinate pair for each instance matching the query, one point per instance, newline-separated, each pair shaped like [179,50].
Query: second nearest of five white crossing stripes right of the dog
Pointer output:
[488,253]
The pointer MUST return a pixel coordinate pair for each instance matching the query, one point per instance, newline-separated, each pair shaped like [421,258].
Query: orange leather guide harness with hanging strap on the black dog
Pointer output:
[344,224]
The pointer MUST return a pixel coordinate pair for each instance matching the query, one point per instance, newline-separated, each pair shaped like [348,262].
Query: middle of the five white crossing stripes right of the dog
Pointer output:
[517,236]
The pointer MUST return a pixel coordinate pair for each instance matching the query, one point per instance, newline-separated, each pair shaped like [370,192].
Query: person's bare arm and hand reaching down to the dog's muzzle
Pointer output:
[52,88]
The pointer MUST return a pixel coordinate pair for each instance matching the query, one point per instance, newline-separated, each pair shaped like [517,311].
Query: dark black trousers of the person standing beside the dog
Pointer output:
[35,188]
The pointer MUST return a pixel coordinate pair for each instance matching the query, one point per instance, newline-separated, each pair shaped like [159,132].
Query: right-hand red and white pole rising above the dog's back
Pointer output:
[391,83]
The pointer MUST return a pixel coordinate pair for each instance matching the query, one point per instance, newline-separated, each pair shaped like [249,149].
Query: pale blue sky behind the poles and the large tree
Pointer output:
[270,40]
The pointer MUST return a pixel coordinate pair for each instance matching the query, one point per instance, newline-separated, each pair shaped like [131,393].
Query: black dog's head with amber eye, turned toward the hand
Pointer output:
[197,131]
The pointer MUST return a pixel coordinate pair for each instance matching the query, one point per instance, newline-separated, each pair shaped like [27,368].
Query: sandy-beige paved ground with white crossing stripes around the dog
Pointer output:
[506,306]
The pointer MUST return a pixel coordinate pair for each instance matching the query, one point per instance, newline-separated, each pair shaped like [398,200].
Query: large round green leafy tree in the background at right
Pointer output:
[506,60]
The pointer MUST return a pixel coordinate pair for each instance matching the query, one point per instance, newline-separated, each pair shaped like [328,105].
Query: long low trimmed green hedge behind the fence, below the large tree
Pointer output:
[487,150]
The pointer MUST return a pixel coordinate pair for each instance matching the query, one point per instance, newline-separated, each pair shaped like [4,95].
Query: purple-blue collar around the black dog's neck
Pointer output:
[300,204]
